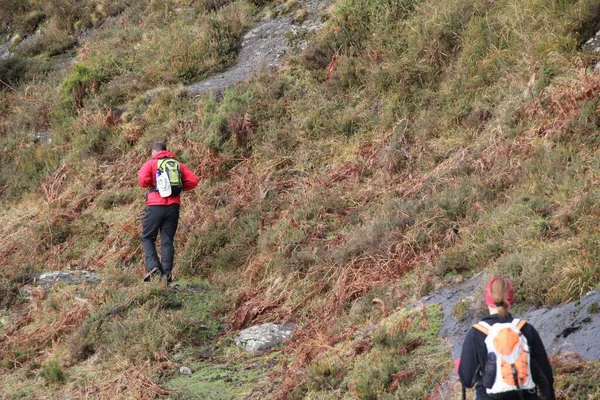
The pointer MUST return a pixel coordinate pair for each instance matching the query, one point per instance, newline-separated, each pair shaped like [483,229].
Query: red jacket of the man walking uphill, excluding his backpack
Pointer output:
[147,179]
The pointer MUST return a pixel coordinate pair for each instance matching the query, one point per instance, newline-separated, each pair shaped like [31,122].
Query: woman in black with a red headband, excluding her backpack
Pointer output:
[499,297]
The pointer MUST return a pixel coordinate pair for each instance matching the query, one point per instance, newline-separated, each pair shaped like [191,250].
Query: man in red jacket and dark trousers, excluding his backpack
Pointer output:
[162,214]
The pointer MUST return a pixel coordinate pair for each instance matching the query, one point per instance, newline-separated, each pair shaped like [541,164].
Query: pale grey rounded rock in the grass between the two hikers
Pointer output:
[261,338]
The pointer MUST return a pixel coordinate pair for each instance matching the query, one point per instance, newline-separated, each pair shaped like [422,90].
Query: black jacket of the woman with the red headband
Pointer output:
[474,355]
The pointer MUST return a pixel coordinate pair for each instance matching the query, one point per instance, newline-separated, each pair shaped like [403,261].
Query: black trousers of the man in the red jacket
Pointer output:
[163,219]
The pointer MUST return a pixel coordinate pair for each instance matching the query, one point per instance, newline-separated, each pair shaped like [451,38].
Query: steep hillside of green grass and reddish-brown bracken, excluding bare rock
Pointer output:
[413,143]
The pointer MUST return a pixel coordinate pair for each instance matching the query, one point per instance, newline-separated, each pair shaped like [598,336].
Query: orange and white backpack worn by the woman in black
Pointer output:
[508,367]
